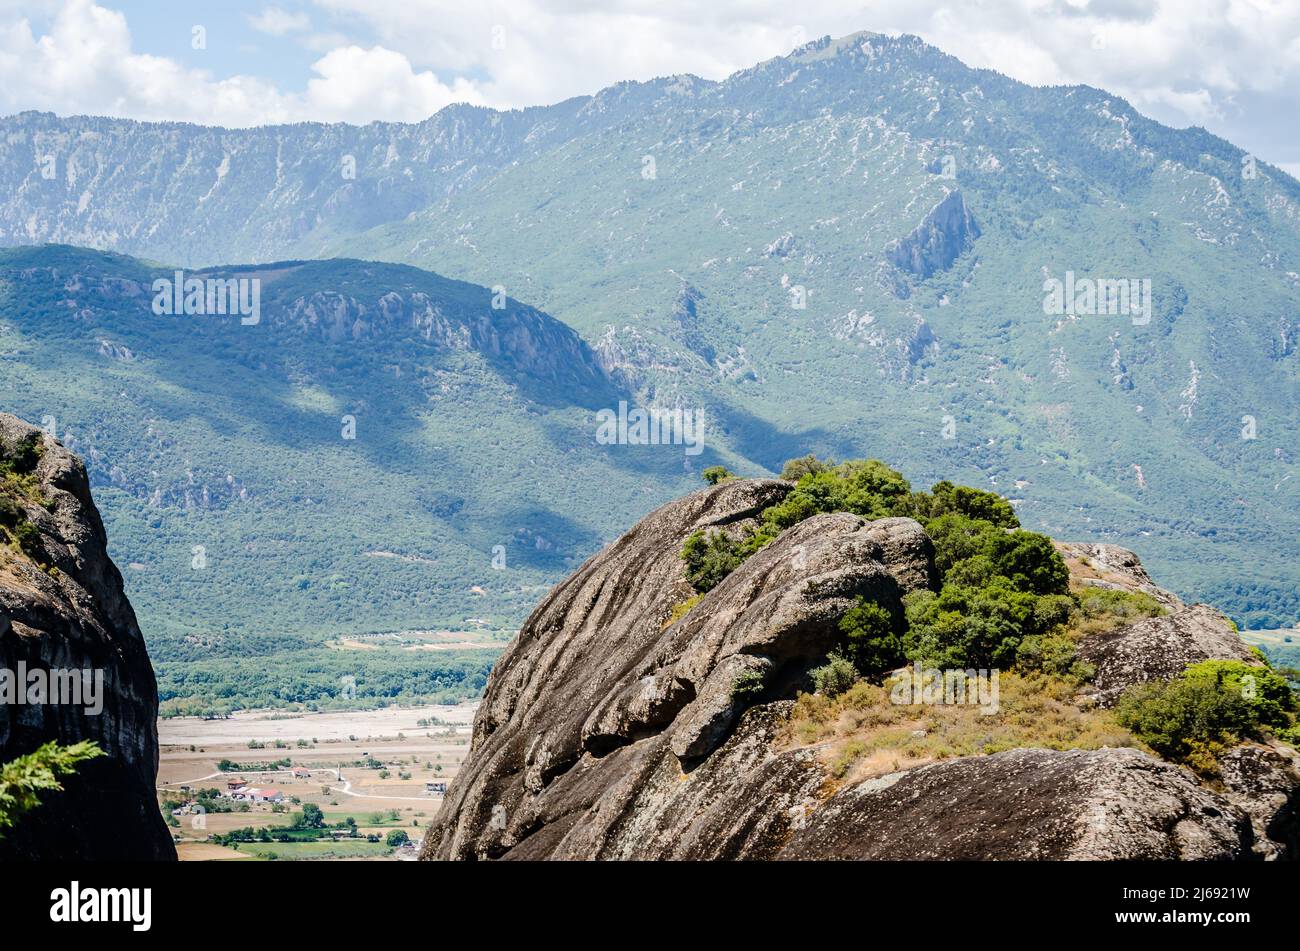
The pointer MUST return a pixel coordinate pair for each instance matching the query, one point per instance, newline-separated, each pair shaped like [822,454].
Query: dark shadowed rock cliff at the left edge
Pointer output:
[63,607]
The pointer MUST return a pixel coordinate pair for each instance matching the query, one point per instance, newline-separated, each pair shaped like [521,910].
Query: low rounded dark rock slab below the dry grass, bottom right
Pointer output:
[1029,805]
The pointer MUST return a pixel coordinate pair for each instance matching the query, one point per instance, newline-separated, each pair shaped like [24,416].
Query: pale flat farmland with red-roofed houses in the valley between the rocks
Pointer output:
[369,774]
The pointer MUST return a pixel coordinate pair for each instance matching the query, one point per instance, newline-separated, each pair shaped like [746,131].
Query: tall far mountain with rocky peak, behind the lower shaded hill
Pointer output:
[916,206]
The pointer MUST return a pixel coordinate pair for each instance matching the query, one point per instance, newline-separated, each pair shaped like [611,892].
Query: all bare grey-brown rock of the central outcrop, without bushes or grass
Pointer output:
[608,733]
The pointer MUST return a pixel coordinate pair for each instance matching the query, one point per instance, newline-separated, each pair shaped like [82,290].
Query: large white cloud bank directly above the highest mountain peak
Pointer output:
[1182,59]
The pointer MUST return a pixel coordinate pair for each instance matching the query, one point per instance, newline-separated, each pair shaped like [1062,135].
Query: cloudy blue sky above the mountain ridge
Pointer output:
[1229,66]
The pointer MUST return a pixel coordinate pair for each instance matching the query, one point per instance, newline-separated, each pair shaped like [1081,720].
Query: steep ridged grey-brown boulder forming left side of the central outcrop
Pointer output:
[599,694]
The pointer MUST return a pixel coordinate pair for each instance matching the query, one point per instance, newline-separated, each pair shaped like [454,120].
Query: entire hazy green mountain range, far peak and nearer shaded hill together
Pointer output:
[861,249]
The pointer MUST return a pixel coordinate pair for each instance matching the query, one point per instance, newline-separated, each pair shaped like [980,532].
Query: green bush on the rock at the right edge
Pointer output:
[1212,706]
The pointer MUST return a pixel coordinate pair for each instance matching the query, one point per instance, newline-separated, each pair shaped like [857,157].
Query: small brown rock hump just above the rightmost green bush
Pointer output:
[1160,649]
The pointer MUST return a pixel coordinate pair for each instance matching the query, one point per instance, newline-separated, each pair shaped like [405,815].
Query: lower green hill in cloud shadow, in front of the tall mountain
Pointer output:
[248,523]
